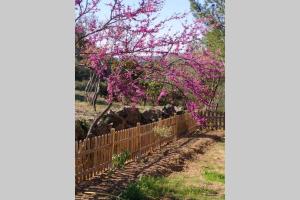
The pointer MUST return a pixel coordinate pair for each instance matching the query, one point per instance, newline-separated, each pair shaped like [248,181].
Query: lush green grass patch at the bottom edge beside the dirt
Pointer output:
[159,187]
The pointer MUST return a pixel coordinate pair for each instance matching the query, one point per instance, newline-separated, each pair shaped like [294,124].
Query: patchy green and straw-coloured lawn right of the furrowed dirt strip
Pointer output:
[203,179]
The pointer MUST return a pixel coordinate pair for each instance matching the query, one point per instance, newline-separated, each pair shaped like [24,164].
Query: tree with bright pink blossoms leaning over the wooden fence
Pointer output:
[128,49]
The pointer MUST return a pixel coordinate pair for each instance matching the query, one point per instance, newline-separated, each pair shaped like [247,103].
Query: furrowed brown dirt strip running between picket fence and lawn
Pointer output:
[171,158]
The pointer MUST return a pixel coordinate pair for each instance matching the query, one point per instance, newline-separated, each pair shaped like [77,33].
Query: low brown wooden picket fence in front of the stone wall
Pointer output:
[94,155]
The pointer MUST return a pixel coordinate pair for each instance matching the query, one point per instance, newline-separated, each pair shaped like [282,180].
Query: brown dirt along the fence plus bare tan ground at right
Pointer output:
[172,158]
